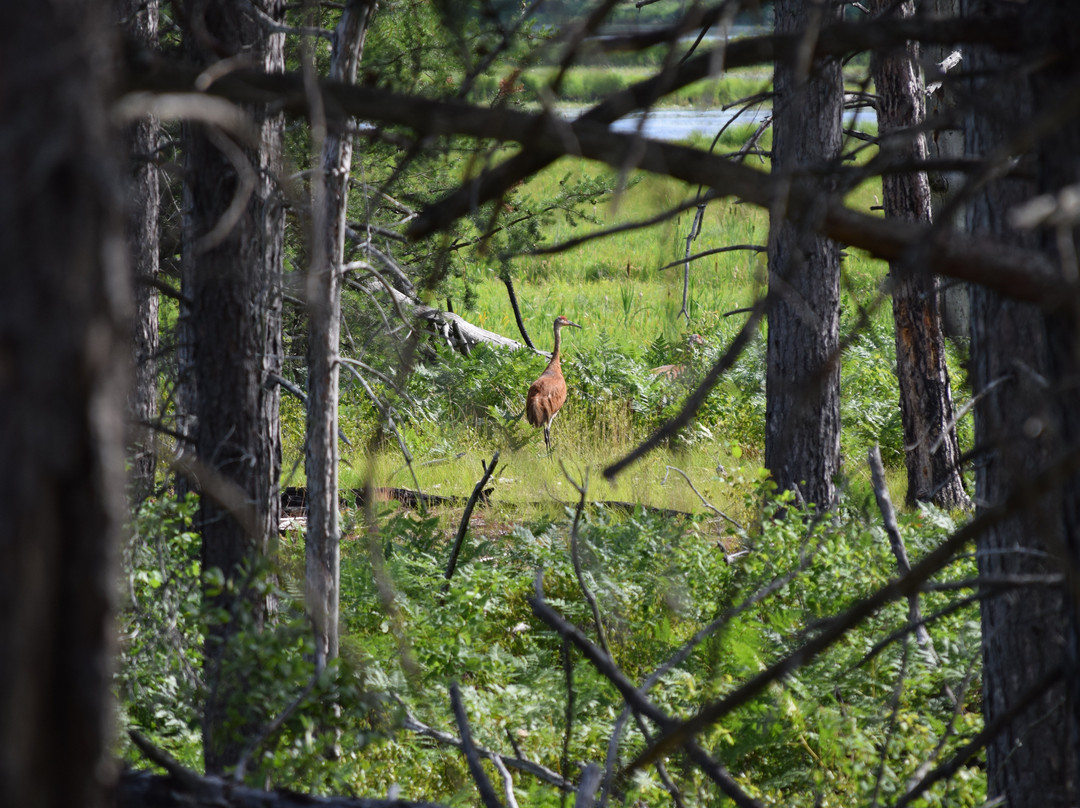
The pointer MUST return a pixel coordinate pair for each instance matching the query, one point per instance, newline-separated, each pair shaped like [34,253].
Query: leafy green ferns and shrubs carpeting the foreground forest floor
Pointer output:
[860,720]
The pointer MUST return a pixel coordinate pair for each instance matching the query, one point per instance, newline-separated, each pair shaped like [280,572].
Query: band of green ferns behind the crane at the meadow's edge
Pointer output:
[483,394]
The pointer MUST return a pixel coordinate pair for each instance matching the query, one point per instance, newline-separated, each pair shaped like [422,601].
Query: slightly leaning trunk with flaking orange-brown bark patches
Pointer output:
[931,451]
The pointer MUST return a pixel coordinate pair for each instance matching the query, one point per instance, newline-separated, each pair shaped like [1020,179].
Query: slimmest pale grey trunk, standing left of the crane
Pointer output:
[325,306]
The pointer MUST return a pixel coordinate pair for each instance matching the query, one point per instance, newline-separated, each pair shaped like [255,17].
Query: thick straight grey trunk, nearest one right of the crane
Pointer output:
[803,376]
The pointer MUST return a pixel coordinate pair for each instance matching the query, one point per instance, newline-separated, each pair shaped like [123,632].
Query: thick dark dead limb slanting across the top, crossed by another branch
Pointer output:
[1020,274]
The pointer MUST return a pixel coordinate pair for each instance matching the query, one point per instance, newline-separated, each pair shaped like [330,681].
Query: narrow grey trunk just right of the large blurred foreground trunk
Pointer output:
[140,22]
